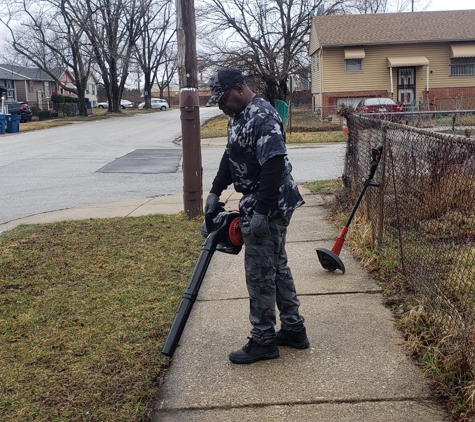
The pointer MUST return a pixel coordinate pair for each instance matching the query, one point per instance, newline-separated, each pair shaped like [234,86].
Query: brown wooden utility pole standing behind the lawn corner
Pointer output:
[189,108]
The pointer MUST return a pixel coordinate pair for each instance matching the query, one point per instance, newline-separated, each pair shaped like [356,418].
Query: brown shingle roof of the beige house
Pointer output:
[391,28]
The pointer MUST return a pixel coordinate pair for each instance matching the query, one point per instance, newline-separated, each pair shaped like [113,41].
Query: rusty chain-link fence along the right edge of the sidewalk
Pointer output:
[422,218]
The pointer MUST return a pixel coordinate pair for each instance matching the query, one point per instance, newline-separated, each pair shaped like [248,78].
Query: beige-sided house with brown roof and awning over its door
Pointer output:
[420,59]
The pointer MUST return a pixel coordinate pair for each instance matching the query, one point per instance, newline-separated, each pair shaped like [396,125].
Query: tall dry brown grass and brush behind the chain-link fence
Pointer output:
[438,245]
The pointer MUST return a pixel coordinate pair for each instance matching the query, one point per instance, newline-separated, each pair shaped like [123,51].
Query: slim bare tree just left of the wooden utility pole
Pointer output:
[155,46]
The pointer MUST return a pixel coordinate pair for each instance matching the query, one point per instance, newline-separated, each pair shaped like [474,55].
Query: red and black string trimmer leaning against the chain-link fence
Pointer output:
[330,260]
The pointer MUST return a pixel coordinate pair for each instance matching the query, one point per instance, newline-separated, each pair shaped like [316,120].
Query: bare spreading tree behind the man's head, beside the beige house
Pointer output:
[267,39]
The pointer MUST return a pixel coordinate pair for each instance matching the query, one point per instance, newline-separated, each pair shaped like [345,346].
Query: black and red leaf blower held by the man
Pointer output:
[223,233]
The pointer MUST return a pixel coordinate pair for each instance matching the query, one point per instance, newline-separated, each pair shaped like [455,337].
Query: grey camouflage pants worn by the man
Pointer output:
[269,282]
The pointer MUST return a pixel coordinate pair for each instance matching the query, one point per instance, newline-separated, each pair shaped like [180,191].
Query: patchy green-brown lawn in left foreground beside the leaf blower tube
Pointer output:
[85,307]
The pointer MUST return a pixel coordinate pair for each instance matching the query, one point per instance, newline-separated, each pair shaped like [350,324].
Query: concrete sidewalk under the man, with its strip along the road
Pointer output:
[355,369]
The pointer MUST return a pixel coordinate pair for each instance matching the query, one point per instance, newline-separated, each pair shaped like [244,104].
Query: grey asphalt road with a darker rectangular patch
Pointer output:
[115,160]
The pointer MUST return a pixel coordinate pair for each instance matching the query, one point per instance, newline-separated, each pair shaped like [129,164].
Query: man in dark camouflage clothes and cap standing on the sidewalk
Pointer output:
[255,161]
